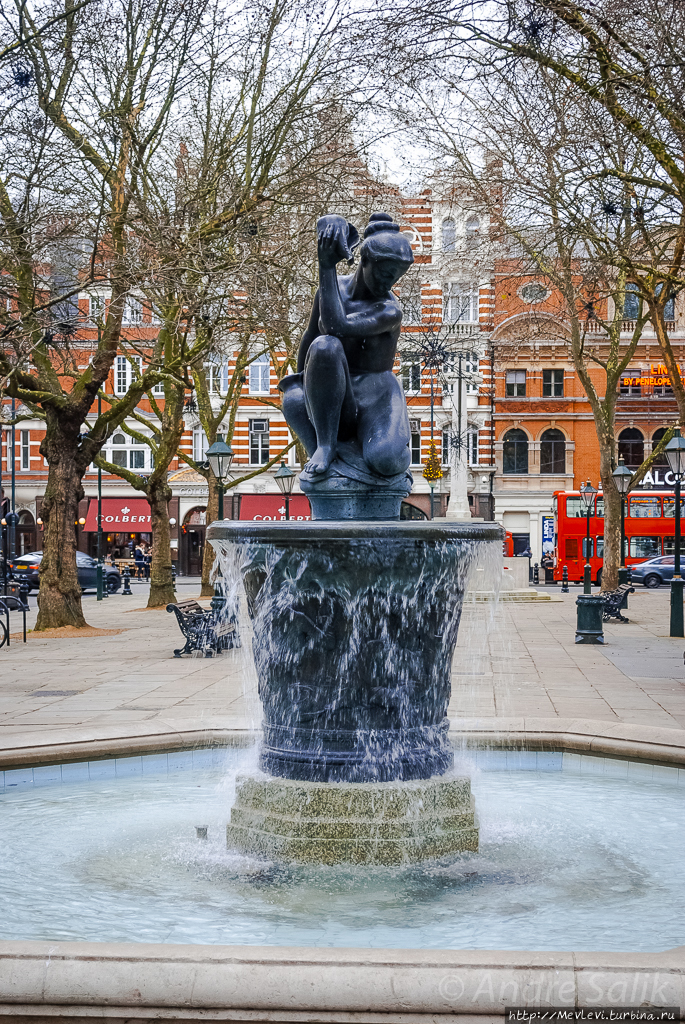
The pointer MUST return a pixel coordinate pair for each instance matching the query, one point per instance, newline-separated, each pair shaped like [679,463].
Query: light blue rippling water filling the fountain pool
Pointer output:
[576,854]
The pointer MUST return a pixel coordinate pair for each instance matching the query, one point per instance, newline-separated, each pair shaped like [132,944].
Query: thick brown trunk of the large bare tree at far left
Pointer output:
[60,595]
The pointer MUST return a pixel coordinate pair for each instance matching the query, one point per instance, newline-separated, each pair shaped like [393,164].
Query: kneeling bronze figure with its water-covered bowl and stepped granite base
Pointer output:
[356,615]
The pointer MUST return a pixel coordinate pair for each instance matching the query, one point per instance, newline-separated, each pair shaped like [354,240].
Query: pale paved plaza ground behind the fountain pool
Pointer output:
[517,661]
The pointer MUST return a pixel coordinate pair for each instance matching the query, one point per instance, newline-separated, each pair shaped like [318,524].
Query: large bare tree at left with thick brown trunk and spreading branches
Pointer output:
[106,80]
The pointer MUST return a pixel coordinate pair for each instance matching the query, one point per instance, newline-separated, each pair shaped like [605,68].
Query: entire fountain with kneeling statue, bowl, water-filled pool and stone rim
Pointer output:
[121,901]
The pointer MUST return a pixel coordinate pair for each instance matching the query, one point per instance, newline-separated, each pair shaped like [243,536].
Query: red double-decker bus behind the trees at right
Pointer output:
[651,531]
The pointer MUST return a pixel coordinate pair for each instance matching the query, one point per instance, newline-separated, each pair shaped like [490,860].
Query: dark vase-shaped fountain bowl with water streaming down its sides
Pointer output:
[355,630]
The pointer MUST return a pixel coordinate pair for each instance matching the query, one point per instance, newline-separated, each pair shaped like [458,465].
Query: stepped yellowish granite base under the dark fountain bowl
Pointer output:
[376,824]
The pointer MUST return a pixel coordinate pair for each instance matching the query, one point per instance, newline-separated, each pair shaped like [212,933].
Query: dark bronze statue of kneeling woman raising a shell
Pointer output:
[346,404]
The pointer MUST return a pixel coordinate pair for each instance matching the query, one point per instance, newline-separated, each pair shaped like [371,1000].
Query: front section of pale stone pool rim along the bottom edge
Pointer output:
[140,982]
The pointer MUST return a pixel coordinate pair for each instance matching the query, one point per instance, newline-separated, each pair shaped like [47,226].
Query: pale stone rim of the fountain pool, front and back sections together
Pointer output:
[54,982]
